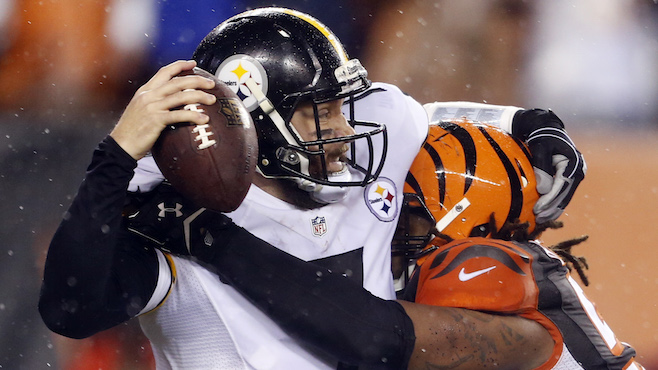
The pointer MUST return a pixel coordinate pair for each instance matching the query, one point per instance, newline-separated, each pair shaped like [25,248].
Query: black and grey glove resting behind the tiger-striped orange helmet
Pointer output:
[559,166]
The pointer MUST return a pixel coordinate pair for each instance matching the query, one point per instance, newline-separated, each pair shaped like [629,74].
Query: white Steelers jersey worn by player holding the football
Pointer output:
[204,323]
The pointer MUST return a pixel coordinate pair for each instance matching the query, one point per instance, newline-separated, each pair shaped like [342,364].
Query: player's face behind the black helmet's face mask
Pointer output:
[333,124]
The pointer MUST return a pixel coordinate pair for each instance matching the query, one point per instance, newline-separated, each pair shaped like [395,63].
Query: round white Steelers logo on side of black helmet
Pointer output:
[236,70]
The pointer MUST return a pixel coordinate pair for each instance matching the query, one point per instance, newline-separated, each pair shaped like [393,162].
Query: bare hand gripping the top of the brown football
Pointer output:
[152,107]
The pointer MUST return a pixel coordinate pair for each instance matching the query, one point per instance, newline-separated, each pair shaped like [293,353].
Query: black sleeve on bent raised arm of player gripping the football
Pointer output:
[96,274]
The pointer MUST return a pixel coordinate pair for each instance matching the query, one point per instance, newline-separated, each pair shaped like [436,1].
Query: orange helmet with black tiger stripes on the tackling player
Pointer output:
[468,172]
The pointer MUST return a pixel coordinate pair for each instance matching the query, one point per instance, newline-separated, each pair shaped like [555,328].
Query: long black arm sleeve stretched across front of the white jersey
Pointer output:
[313,304]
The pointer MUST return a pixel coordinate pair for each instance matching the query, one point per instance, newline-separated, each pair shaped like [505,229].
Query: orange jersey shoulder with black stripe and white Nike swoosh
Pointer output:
[479,274]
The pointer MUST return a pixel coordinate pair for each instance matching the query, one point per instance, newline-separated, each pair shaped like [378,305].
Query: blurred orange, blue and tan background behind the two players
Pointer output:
[68,67]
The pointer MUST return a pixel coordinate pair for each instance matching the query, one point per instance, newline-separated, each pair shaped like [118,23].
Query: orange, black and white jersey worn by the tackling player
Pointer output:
[528,280]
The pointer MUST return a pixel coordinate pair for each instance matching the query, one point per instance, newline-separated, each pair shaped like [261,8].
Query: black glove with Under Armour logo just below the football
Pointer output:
[170,222]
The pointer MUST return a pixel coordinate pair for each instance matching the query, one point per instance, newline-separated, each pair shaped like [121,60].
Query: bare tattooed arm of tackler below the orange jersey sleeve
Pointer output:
[458,338]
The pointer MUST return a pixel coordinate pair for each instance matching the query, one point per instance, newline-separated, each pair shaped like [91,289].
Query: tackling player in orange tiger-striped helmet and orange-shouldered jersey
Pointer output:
[485,293]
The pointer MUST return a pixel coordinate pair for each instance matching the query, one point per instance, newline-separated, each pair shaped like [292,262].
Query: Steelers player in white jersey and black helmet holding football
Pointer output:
[334,151]
